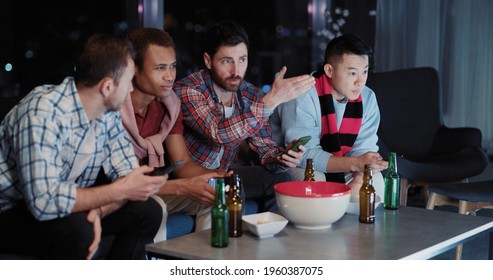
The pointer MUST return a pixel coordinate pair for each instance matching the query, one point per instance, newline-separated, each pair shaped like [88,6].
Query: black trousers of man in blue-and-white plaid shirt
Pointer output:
[133,226]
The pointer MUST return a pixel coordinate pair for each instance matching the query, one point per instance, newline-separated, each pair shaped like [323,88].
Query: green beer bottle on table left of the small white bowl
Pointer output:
[219,216]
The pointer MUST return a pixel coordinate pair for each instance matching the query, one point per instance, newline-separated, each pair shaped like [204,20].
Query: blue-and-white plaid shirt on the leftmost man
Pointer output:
[39,139]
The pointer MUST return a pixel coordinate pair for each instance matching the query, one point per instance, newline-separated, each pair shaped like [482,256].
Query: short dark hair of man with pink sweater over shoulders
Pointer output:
[142,38]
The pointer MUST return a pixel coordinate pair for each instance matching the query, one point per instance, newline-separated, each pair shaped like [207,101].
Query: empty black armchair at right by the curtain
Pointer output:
[410,102]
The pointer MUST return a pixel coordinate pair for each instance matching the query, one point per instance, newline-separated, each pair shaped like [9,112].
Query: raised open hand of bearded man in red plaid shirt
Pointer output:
[284,90]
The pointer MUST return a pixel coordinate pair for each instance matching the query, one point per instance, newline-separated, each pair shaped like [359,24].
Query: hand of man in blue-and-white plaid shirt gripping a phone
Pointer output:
[139,187]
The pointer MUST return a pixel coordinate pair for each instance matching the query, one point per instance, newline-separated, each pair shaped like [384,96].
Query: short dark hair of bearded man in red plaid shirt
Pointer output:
[224,33]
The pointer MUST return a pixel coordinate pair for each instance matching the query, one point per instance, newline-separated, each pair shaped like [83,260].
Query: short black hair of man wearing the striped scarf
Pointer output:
[346,44]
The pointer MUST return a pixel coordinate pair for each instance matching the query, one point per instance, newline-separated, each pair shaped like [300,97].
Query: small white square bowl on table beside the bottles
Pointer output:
[265,224]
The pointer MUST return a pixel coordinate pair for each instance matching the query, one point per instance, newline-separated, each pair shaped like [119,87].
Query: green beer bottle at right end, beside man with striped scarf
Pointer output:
[392,185]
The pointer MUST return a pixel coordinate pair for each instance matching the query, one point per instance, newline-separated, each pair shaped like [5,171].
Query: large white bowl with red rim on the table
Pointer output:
[312,205]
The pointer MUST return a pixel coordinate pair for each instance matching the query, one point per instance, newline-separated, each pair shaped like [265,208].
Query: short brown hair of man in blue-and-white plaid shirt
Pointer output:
[102,56]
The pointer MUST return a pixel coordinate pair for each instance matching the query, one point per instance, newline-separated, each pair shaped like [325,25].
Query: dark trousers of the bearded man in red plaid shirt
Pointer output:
[259,185]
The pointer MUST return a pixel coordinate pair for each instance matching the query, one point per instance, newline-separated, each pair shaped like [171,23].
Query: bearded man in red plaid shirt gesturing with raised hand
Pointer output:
[221,111]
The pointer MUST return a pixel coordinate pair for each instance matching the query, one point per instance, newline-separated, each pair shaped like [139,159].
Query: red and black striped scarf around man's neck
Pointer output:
[338,142]
